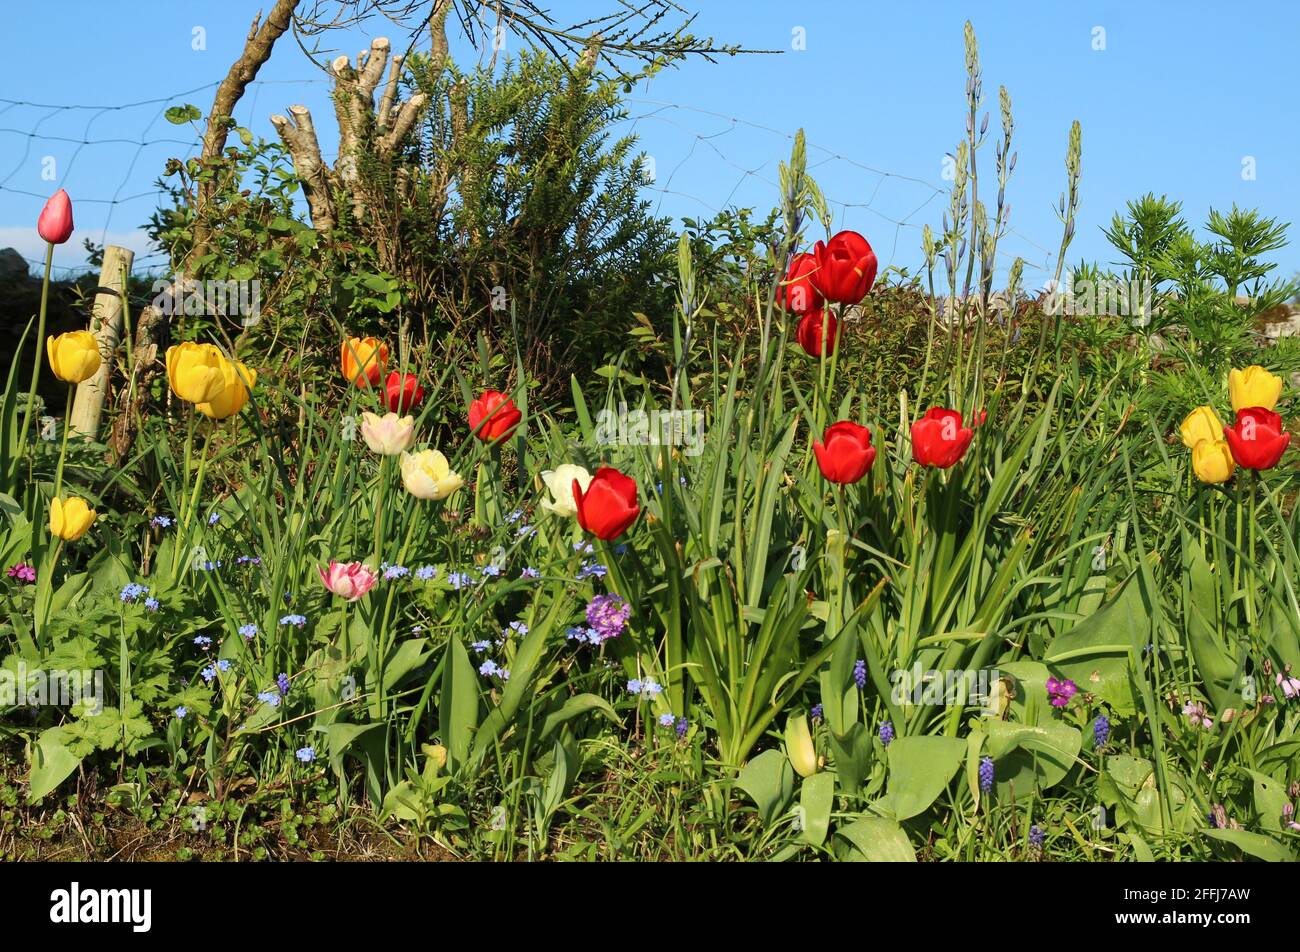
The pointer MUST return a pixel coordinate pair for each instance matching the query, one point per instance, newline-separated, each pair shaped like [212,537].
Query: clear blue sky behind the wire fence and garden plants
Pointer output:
[1181,96]
